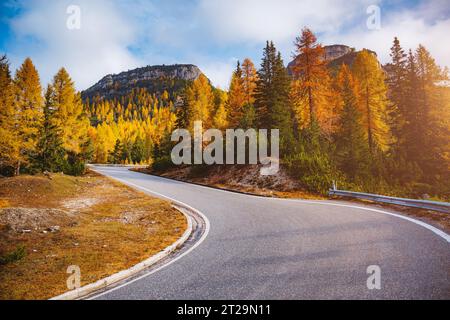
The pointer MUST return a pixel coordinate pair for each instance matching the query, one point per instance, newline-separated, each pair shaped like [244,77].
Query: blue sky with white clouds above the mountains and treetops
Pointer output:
[120,35]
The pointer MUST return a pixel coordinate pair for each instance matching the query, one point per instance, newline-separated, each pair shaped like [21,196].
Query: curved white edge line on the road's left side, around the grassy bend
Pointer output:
[205,234]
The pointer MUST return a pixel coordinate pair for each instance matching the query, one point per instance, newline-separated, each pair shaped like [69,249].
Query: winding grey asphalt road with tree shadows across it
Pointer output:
[265,248]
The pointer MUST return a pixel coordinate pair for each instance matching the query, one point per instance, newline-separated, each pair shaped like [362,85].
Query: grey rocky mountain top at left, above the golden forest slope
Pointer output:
[155,79]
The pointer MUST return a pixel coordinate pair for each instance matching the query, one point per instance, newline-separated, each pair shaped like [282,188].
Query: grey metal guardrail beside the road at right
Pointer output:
[422,204]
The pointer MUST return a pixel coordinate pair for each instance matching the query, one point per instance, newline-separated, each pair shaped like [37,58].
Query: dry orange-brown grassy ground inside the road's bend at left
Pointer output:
[48,223]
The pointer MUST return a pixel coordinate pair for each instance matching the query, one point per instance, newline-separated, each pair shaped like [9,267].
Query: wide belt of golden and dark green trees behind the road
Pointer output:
[373,127]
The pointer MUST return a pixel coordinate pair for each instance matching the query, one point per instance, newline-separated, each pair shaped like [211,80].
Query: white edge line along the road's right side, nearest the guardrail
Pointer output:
[435,230]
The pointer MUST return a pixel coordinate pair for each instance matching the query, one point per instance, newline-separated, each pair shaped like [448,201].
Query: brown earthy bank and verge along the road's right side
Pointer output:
[248,180]
